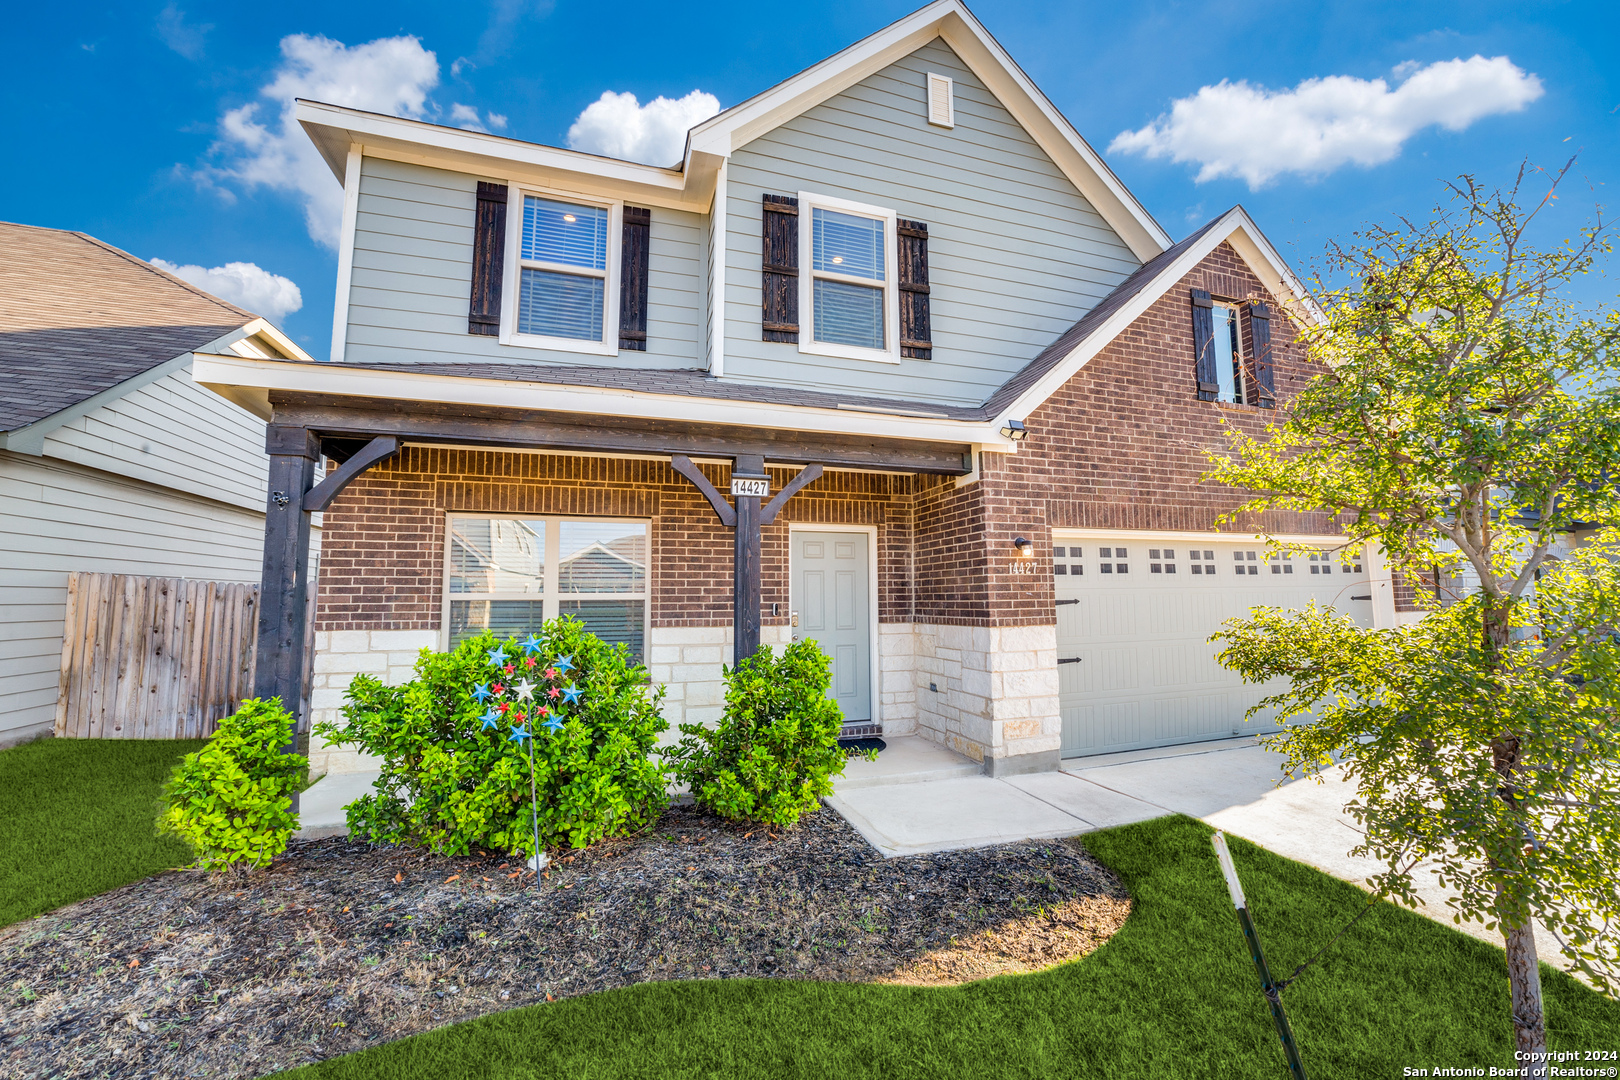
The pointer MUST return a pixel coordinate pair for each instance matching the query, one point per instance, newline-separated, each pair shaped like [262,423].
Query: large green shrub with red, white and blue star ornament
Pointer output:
[456,780]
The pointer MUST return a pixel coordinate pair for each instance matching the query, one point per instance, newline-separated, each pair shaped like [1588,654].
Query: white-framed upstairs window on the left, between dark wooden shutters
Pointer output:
[566,268]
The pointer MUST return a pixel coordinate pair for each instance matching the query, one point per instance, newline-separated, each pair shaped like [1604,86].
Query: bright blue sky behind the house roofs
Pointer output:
[127,121]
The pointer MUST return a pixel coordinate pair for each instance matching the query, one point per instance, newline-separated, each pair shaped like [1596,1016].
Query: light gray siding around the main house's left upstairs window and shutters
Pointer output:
[414,270]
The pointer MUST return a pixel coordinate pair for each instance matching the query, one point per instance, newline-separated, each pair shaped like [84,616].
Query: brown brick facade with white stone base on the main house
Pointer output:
[1120,446]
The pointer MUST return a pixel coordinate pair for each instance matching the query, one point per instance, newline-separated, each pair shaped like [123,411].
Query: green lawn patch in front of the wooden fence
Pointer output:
[79,817]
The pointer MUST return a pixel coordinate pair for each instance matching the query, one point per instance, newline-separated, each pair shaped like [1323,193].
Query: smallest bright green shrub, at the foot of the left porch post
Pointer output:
[231,801]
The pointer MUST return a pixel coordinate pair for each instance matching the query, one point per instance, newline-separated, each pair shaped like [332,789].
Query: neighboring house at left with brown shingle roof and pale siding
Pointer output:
[113,459]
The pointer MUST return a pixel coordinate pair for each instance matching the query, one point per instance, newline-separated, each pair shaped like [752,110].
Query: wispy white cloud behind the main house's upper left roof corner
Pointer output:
[391,75]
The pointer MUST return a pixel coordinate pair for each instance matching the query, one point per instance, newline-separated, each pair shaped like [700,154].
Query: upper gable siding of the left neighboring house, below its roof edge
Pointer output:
[176,435]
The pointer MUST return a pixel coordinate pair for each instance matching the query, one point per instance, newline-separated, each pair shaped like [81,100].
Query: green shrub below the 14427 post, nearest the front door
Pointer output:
[775,750]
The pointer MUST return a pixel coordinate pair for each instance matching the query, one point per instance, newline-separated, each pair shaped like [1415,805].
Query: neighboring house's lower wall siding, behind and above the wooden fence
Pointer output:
[58,517]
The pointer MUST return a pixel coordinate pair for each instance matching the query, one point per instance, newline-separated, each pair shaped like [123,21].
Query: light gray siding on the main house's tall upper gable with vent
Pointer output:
[1017,255]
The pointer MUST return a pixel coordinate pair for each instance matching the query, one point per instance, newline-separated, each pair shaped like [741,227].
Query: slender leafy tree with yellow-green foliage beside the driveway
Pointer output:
[1467,422]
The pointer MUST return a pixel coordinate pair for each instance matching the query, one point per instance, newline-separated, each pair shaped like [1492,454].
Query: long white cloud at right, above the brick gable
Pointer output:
[1253,134]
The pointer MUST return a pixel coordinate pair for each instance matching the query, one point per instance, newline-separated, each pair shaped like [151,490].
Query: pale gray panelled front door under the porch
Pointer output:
[832,600]
